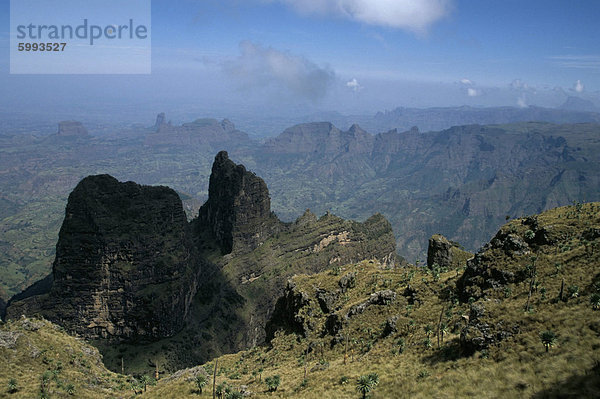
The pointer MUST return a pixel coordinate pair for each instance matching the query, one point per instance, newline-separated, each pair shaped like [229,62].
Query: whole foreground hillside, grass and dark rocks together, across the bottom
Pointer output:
[367,318]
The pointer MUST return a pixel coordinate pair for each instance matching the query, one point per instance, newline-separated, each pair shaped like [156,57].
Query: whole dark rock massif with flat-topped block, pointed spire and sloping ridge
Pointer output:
[129,265]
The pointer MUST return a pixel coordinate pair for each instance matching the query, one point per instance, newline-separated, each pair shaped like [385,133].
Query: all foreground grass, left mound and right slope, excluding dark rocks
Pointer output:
[518,367]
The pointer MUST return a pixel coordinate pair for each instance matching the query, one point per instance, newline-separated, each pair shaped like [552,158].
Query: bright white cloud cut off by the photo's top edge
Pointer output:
[414,15]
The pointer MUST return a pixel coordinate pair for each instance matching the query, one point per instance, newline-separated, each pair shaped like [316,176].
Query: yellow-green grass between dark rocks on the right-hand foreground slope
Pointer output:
[518,367]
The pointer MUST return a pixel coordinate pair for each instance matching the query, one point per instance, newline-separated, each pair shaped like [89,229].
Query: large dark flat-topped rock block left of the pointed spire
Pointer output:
[123,266]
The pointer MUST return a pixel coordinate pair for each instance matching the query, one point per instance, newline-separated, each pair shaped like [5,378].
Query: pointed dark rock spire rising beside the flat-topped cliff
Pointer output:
[238,210]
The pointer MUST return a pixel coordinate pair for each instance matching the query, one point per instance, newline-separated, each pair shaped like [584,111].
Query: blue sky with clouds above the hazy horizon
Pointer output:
[289,57]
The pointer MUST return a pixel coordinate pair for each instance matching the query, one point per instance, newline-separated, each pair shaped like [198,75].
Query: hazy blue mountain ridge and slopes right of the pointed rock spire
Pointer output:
[462,182]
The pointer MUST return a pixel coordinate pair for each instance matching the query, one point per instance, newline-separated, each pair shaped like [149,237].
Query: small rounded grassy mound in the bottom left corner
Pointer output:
[32,350]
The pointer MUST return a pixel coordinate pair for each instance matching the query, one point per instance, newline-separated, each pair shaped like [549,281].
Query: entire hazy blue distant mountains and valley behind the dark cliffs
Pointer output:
[462,181]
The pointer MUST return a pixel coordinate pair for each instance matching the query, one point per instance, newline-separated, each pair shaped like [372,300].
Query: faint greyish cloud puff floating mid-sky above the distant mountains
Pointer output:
[266,67]
